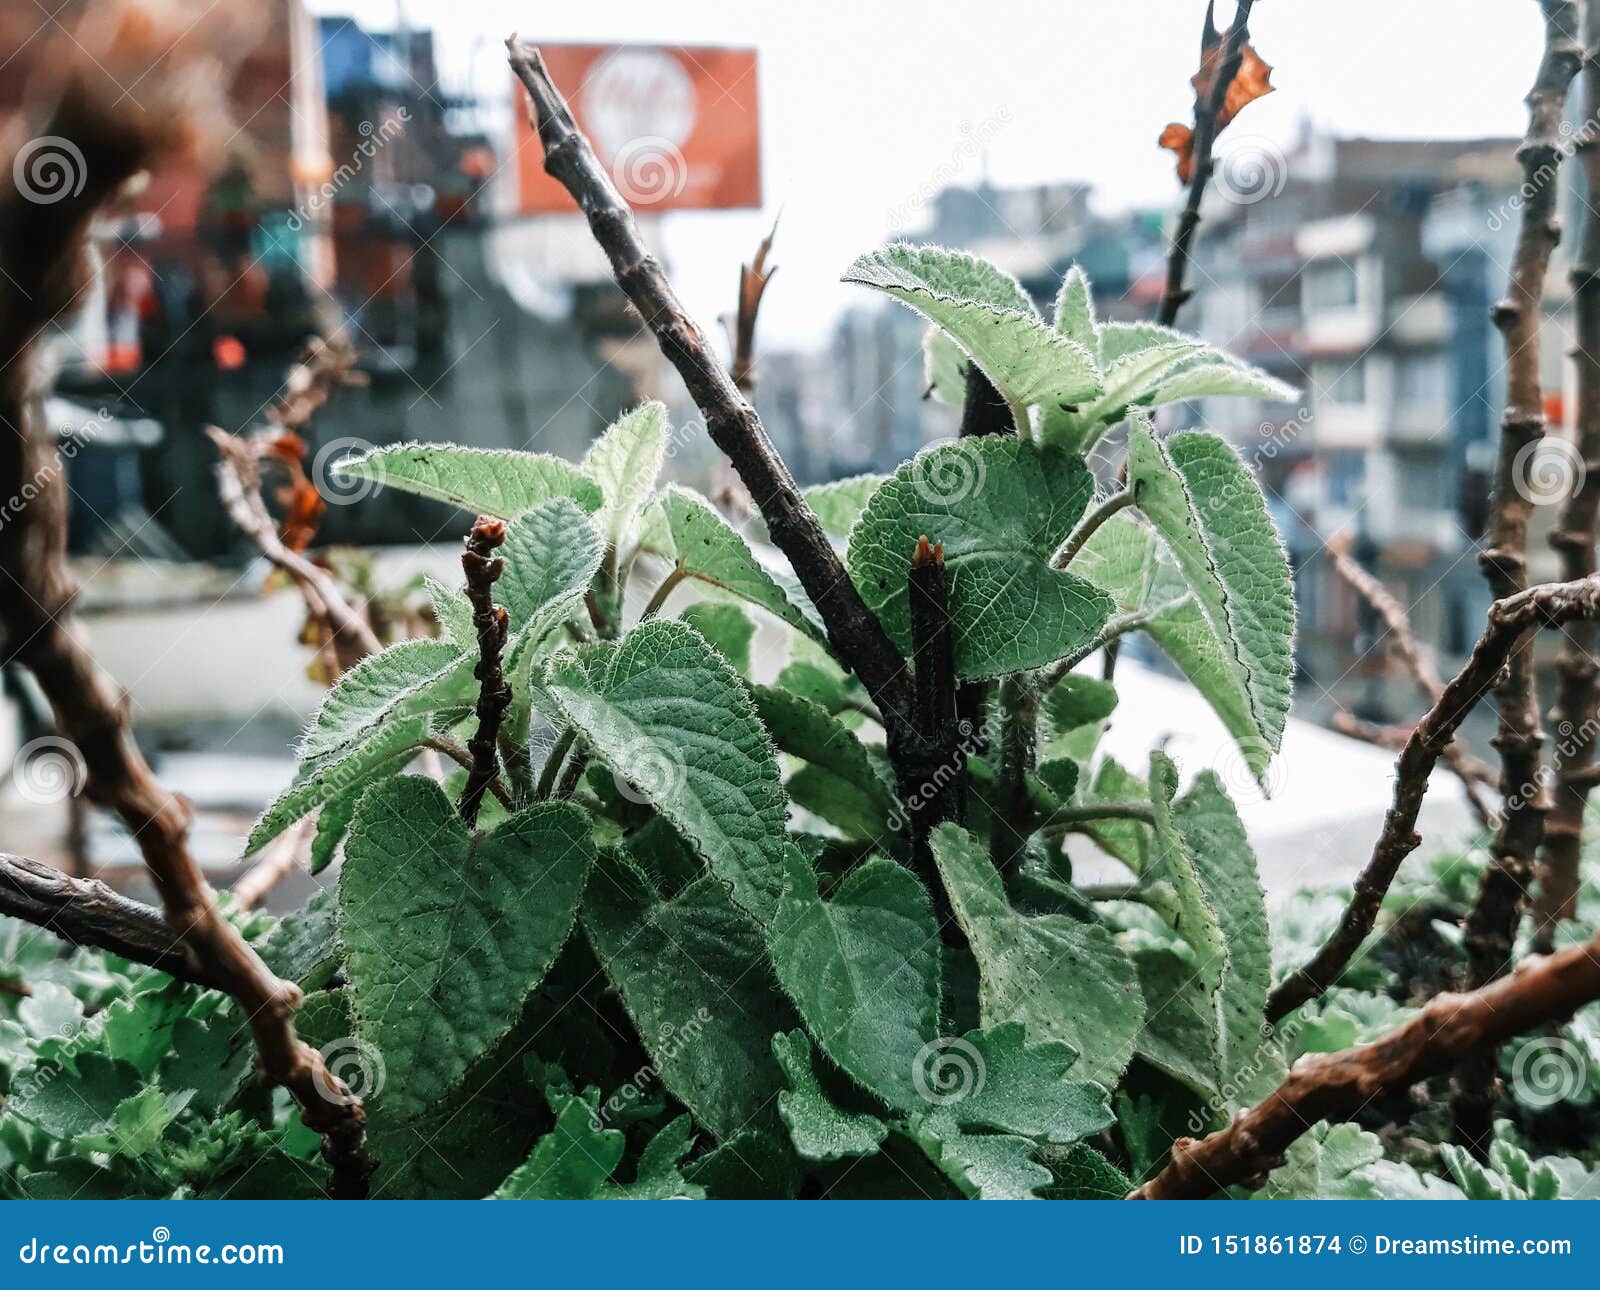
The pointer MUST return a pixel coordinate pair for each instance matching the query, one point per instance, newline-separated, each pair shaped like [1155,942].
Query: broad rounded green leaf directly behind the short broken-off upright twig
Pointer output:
[1001,508]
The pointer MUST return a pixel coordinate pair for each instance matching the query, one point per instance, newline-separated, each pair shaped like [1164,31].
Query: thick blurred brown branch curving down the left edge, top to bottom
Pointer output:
[44,255]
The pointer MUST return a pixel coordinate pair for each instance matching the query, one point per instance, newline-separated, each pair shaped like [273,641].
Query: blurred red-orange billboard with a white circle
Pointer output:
[678,127]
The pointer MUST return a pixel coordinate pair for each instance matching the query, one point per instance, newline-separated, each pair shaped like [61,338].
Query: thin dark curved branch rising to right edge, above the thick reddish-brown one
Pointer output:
[1553,606]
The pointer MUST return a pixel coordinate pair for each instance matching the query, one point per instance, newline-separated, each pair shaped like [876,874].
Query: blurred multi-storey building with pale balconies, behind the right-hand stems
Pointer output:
[1364,273]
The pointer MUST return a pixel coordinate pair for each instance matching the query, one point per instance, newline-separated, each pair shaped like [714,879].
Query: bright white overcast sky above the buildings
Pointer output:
[866,103]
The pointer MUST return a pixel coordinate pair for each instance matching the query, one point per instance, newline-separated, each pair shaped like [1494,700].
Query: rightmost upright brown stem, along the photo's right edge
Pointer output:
[1574,540]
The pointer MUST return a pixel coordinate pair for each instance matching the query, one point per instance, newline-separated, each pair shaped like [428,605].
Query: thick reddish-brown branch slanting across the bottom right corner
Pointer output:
[1338,1086]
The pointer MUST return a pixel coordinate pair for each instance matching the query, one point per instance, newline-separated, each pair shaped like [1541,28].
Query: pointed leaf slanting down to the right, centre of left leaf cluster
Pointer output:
[673,719]
